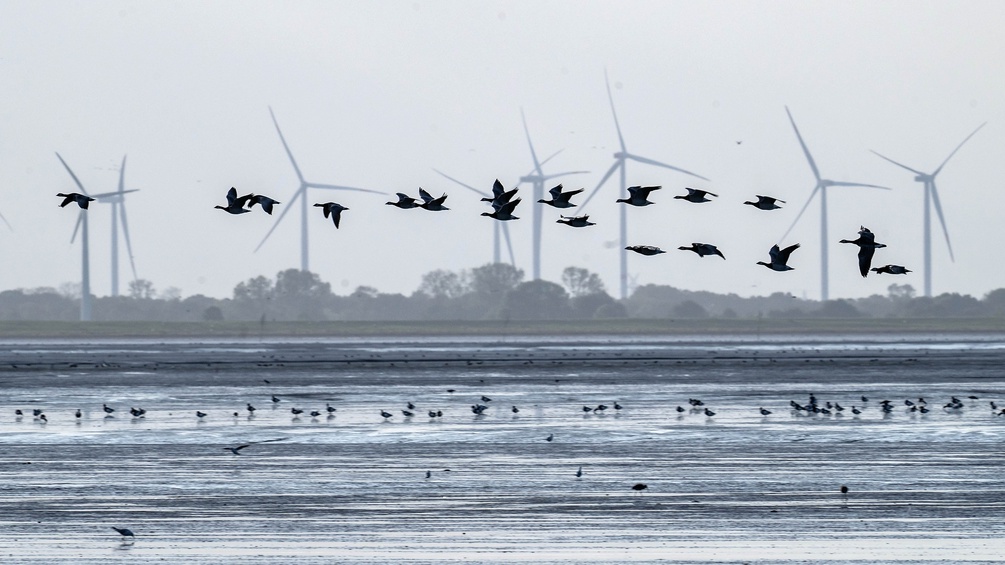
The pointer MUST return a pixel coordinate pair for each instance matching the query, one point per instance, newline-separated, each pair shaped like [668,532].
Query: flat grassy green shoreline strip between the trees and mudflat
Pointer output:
[622,327]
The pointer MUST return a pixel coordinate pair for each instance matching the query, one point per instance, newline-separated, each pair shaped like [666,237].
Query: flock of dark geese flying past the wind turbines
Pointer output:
[505,203]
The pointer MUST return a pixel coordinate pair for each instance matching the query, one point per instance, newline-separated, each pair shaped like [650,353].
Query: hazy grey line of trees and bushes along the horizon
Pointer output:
[490,292]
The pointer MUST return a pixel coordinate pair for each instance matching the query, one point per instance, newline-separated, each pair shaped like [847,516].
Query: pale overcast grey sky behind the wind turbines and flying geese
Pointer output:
[376,95]
